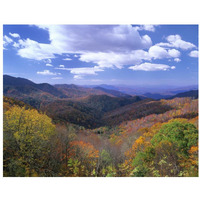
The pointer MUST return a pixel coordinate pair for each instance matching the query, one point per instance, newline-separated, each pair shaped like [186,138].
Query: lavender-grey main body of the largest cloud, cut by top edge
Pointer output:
[96,38]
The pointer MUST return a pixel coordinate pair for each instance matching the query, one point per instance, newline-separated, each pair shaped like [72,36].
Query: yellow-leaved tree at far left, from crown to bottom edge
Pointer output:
[26,142]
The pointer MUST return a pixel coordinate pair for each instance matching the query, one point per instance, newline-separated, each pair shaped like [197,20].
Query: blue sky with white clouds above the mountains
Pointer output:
[143,55]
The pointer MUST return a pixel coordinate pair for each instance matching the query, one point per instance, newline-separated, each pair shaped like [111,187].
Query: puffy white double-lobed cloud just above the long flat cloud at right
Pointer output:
[158,52]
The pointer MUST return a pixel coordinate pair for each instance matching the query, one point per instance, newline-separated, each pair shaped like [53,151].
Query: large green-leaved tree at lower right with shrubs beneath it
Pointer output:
[169,151]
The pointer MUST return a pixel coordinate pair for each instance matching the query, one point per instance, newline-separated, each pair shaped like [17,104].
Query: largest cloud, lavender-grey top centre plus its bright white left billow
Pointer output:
[81,39]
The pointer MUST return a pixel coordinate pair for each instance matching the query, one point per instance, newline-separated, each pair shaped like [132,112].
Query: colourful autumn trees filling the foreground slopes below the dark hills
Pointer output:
[154,145]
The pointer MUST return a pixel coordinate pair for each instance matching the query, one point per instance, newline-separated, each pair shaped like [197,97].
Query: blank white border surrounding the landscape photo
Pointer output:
[97,12]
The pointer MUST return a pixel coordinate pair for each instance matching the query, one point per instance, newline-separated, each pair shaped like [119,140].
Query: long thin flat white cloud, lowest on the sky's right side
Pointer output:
[150,67]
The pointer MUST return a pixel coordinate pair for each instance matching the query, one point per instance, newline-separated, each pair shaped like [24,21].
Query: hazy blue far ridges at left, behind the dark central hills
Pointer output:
[35,94]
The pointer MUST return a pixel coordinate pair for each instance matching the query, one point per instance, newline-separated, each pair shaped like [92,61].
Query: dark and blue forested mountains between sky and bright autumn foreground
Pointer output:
[89,107]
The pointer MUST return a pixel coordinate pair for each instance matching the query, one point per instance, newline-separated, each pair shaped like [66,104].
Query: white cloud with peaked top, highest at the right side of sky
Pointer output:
[177,42]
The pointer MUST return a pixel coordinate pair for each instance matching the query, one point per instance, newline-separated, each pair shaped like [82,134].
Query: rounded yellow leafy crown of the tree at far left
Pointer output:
[27,124]
